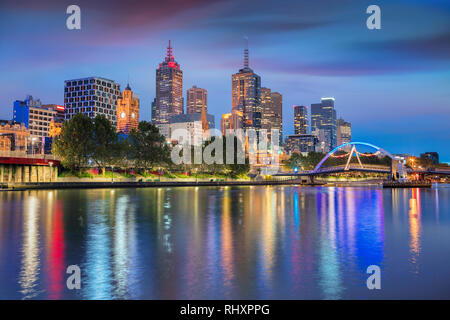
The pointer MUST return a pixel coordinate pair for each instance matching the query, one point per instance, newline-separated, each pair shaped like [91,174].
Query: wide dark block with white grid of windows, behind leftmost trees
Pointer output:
[91,96]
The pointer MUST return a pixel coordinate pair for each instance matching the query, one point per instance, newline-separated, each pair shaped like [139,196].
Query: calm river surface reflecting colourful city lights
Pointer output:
[279,242]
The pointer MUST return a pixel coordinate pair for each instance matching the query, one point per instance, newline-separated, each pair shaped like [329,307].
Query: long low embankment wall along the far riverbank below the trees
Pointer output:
[142,184]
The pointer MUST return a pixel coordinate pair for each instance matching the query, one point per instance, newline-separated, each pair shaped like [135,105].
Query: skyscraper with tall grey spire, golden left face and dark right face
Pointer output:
[246,95]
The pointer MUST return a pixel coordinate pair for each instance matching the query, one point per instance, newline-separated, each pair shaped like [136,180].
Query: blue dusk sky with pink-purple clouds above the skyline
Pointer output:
[392,84]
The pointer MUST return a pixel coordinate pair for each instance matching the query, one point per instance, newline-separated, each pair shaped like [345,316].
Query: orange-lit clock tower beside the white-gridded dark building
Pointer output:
[127,111]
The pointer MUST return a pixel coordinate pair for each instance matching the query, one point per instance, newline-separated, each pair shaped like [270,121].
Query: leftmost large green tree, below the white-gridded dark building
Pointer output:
[75,143]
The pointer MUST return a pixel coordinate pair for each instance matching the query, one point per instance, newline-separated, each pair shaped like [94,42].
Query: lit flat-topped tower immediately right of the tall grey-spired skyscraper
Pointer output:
[271,106]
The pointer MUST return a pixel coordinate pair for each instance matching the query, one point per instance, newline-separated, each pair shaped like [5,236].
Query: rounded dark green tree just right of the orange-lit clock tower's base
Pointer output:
[147,146]
